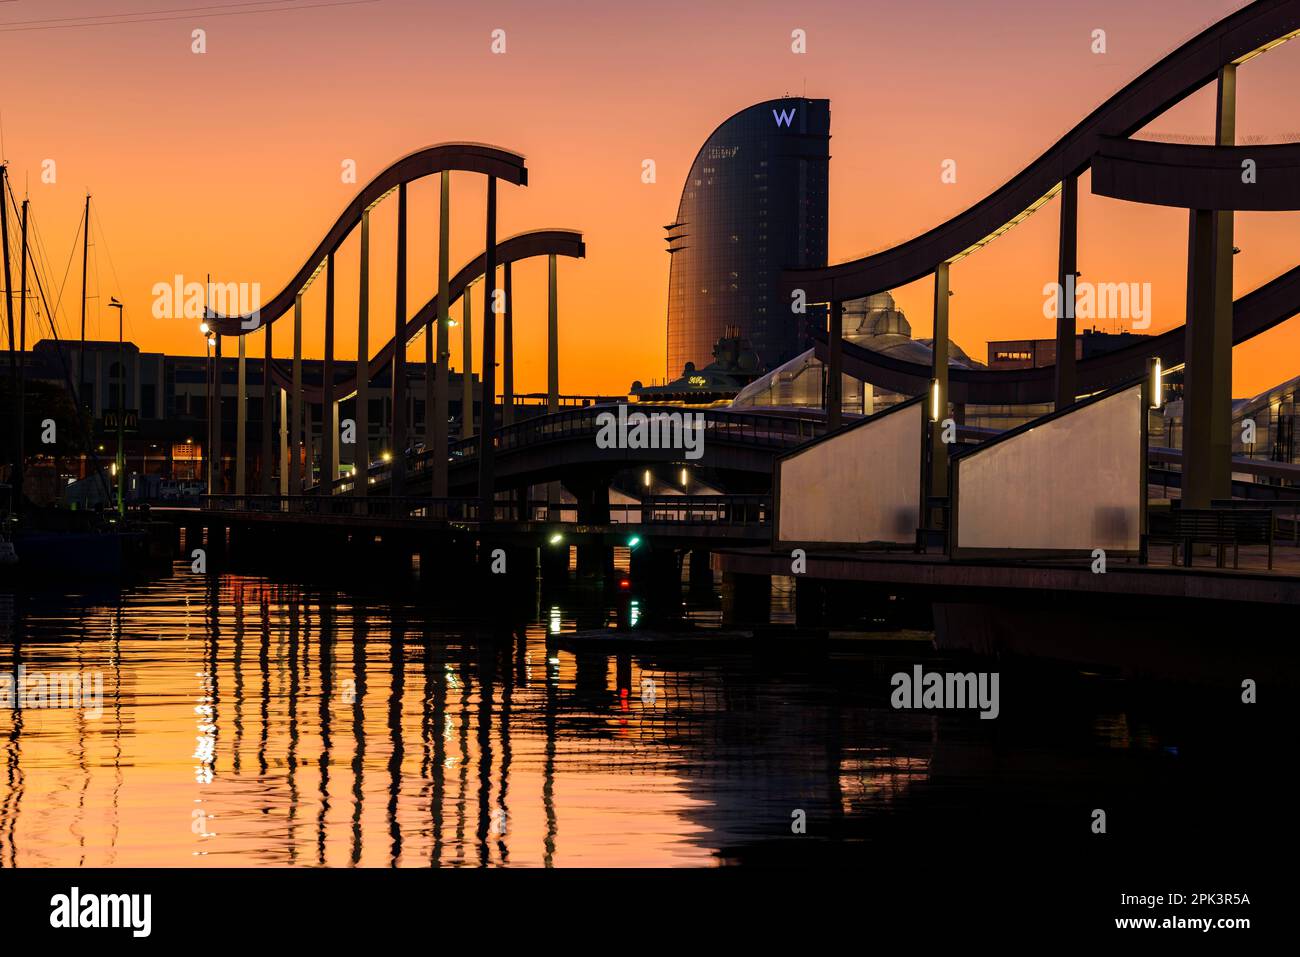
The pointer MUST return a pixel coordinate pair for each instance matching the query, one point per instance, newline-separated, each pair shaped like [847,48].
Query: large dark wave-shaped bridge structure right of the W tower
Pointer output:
[1212,183]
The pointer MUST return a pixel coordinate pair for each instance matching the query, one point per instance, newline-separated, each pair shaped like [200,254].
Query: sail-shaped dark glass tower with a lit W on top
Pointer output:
[755,203]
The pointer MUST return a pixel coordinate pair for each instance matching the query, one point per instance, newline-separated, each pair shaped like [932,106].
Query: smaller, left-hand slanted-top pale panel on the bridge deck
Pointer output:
[863,486]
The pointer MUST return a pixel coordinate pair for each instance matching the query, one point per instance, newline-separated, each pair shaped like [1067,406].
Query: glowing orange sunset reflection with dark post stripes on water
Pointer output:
[258,724]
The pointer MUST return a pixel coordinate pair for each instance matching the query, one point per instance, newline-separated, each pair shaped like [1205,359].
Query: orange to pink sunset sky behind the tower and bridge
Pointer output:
[229,162]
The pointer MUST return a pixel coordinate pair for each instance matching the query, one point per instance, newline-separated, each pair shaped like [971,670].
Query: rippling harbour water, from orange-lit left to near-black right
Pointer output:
[246,722]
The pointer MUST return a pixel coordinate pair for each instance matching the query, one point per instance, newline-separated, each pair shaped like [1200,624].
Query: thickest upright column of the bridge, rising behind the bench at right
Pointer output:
[1208,376]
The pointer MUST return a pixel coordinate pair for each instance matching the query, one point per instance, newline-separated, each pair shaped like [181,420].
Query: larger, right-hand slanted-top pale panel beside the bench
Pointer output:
[1072,484]
